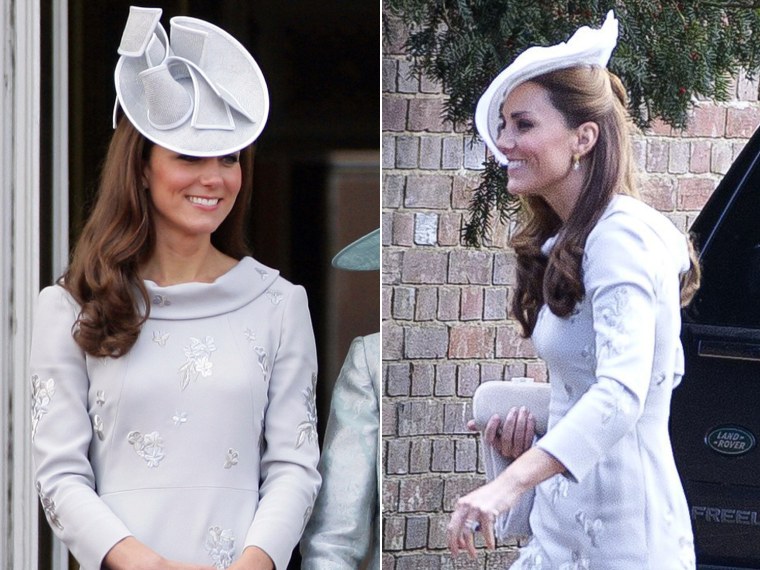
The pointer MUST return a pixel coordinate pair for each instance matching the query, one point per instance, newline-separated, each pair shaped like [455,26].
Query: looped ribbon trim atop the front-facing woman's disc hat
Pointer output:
[168,102]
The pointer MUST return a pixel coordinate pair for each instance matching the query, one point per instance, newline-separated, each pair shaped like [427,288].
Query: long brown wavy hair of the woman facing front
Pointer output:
[119,236]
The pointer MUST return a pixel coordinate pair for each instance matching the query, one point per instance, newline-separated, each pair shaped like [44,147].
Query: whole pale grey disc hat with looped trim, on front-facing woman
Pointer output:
[197,91]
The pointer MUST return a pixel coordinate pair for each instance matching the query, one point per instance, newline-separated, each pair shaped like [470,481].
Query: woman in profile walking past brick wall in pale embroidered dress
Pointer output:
[599,288]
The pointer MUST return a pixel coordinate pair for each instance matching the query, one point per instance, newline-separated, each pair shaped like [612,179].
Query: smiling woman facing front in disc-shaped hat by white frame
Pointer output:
[163,324]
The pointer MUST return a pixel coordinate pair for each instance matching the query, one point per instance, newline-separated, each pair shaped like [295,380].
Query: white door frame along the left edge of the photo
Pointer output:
[19,275]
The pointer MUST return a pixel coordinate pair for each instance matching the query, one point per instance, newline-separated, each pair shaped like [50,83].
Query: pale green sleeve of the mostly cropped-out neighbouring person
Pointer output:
[339,533]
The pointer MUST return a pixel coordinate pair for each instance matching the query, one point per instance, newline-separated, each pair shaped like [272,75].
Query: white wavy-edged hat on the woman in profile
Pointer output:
[587,46]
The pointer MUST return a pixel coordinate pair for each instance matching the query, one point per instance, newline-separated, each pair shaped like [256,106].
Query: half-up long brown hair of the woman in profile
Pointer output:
[580,94]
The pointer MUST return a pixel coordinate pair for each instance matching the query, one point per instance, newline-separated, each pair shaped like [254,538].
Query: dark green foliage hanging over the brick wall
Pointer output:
[668,53]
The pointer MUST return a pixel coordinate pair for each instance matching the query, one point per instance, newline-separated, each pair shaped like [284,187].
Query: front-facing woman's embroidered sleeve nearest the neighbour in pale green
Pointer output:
[289,477]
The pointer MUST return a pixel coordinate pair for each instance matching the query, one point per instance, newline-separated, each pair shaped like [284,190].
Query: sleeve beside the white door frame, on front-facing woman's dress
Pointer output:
[61,435]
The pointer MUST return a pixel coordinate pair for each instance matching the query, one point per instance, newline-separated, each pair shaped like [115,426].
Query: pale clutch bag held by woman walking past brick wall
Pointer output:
[497,397]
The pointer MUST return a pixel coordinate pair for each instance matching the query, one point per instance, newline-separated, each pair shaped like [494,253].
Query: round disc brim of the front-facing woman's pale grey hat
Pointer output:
[228,68]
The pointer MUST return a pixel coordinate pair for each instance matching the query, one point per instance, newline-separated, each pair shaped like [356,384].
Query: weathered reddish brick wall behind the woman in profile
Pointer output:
[444,306]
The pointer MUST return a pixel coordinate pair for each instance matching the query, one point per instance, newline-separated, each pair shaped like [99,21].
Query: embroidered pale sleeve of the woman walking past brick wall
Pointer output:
[621,272]
